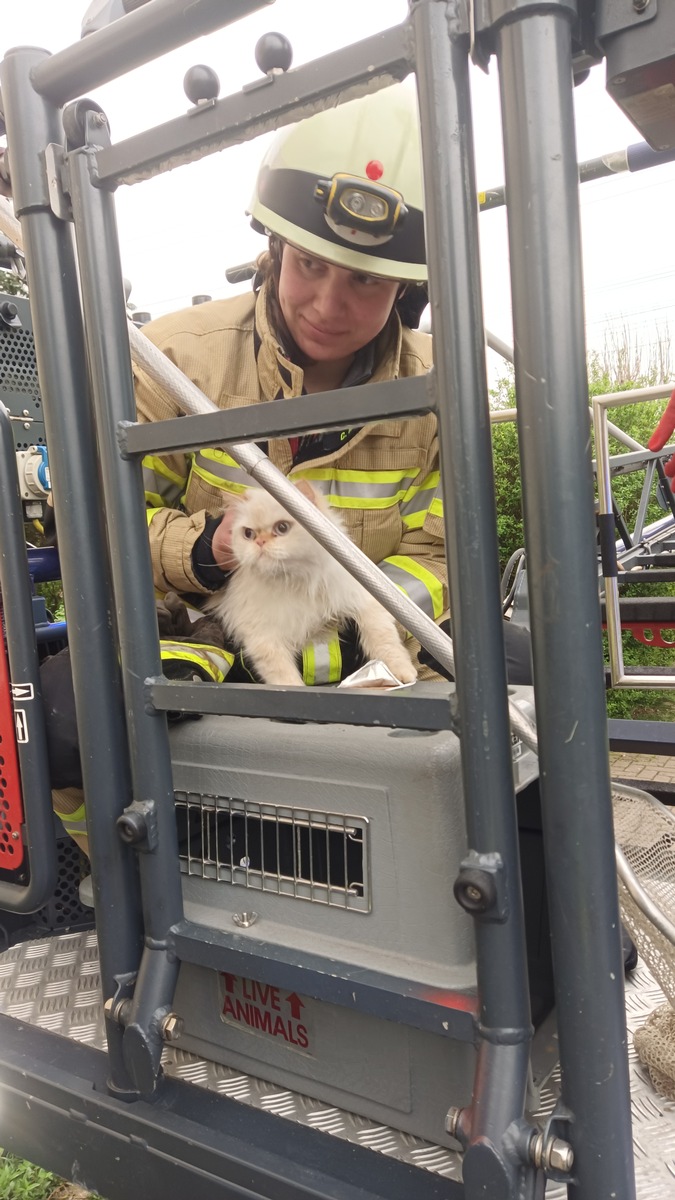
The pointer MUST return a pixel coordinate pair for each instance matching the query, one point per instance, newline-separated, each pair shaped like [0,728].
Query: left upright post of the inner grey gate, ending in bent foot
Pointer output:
[151,819]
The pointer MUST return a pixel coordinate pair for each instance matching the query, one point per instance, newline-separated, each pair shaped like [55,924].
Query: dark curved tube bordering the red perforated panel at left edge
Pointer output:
[25,671]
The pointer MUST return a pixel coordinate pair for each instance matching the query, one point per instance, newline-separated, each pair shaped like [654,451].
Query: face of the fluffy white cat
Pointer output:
[266,538]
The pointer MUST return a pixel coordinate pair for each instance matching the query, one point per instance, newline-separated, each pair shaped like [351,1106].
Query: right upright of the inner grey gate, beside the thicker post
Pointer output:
[505,1028]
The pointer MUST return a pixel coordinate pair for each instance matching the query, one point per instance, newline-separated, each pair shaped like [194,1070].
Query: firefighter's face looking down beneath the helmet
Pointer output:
[331,311]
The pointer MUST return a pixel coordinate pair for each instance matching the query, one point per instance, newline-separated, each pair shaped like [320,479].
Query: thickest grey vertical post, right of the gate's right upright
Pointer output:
[534,50]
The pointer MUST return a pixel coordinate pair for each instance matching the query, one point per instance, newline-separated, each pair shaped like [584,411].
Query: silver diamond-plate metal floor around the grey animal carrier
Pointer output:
[55,985]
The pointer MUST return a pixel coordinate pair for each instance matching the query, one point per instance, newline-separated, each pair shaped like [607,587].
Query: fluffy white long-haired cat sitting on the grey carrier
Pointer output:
[288,591]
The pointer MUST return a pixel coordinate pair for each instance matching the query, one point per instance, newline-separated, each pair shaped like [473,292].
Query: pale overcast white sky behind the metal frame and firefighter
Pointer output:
[180,232]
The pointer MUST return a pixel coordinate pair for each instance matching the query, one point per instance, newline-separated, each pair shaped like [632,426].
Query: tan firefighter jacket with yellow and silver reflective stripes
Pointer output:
[384,479]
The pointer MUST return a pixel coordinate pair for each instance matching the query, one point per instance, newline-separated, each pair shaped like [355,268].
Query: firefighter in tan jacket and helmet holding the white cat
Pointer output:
[336,303]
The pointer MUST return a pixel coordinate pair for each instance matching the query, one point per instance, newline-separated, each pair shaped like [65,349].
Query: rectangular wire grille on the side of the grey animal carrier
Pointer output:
[296,853]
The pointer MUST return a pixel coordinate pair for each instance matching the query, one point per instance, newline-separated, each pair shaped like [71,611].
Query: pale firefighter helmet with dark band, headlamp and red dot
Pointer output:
[347,185]
